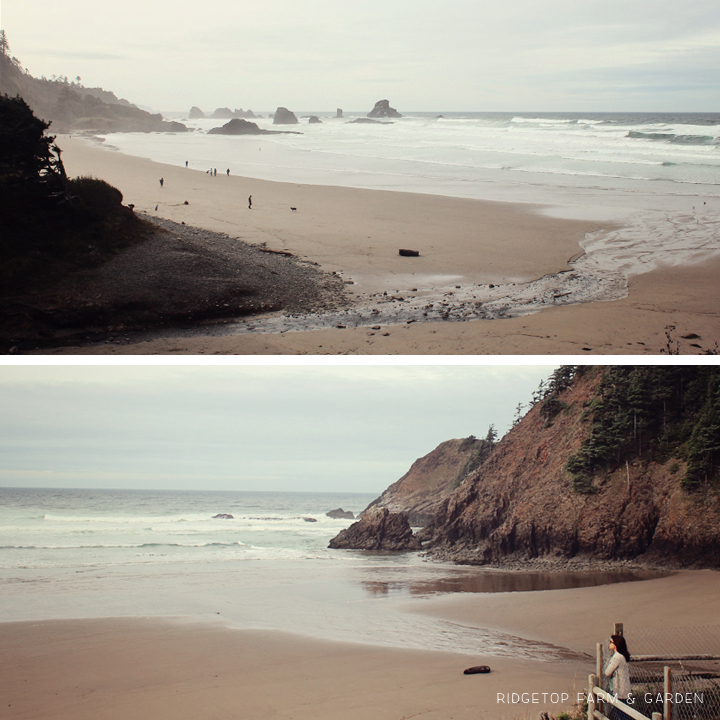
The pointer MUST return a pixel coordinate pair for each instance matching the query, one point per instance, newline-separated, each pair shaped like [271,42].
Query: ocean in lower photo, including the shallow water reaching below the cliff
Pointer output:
[132,553]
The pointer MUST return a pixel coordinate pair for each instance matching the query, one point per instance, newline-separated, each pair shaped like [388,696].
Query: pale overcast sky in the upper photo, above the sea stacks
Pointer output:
[476,55]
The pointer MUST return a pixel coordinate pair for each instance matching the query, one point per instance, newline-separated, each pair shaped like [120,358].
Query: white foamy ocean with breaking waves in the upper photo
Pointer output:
[563,160]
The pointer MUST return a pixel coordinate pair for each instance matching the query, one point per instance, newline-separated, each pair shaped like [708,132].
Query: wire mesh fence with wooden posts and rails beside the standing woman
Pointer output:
[695,679]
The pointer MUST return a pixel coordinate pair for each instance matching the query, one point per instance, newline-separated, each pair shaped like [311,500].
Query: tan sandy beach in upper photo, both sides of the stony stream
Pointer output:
[466,246]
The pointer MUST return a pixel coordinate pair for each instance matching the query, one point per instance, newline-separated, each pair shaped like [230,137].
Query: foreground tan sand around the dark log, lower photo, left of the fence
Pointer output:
[157,669]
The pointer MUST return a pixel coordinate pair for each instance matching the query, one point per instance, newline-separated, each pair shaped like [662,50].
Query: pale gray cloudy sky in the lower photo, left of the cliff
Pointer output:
[276,427]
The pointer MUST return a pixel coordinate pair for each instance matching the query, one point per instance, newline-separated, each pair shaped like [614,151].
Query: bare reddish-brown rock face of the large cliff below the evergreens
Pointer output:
[520,504]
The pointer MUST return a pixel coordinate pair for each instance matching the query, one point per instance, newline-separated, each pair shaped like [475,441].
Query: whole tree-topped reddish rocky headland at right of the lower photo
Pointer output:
[610,466]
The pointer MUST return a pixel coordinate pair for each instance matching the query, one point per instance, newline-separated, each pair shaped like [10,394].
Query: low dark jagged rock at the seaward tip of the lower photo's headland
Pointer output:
[378,529]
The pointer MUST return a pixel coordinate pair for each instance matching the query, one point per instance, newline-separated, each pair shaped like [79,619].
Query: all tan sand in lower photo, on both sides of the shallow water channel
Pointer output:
[175,668]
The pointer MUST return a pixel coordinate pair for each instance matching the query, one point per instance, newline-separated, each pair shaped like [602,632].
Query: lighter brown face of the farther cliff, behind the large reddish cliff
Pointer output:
[421,491]
